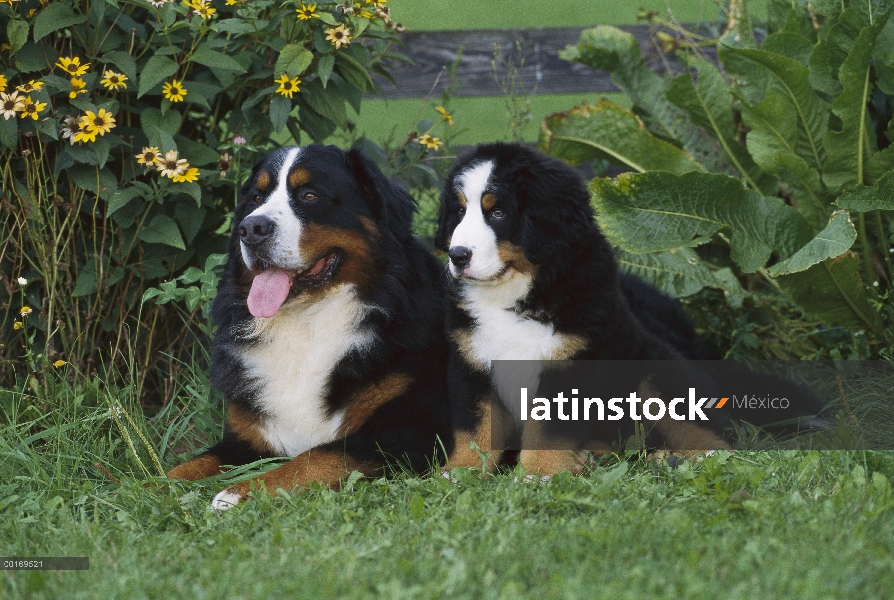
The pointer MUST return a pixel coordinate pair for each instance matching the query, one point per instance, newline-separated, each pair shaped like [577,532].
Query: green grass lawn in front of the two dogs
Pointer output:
[752,525]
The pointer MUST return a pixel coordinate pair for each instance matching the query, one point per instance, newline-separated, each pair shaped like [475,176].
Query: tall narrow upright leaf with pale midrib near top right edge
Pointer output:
[849,149]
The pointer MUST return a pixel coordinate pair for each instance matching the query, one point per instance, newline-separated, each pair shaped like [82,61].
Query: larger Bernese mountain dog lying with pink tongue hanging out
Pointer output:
[330,344]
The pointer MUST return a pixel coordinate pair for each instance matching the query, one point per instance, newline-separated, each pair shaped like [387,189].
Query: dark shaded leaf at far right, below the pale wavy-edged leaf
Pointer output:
[833,292]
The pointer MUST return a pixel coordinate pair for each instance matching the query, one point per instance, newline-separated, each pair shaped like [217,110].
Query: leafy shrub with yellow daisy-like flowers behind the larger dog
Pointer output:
[125,129]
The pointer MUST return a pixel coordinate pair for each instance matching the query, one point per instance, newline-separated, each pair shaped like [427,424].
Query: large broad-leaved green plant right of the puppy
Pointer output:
[774,167]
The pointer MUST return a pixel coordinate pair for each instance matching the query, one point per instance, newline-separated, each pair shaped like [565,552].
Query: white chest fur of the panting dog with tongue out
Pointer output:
[292,360]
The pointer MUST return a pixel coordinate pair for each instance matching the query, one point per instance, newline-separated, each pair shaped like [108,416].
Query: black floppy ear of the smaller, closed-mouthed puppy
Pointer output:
[556,209]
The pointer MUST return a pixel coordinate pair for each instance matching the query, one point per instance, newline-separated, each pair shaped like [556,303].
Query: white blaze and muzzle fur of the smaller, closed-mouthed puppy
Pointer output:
[473,232]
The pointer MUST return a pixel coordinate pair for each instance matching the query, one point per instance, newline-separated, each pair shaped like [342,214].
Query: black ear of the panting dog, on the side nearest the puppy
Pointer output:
[392,205]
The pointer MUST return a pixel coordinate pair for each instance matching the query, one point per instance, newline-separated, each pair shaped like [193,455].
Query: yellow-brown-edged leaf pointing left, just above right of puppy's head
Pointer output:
[609,131]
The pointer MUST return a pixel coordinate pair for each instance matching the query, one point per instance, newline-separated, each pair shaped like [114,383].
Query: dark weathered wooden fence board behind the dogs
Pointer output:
[542,71]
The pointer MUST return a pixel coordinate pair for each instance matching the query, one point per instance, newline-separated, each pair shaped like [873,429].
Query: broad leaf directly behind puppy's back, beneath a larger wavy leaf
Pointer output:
[680,273]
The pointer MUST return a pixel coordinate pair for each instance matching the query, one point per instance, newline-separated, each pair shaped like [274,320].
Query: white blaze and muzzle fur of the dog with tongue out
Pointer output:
[284,251]
